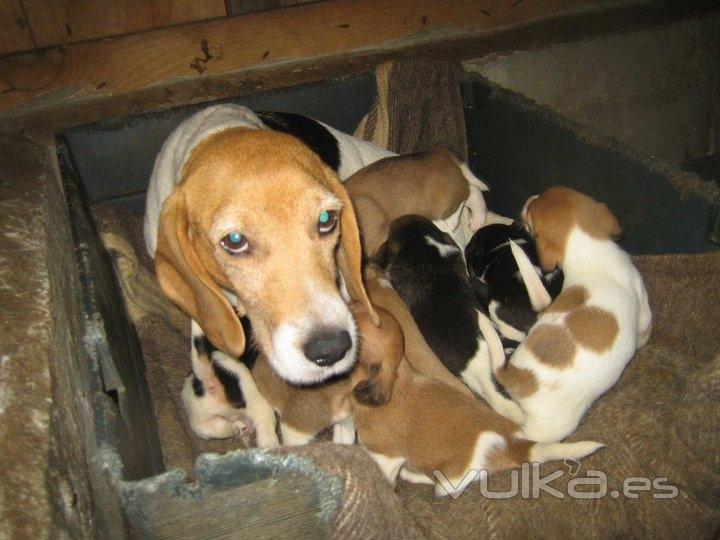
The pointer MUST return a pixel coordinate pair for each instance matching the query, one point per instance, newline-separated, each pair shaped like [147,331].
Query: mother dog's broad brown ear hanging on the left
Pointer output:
[185,281]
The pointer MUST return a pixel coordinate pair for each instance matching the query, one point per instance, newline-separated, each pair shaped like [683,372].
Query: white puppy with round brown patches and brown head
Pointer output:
[581,343]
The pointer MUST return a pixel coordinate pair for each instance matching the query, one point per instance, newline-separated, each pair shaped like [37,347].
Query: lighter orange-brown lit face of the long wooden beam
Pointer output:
[135,62]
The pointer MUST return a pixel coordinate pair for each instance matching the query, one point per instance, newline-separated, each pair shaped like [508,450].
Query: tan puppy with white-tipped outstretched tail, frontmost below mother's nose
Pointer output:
[428,429]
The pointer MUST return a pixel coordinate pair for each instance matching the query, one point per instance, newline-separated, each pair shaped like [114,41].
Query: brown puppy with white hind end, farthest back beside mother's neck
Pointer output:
[435,184]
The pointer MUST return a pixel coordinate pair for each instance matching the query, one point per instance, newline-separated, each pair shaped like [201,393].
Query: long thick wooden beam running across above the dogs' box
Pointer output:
[237,55]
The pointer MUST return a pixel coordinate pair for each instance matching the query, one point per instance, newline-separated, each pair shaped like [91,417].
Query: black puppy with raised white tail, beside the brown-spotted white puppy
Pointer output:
[508,281]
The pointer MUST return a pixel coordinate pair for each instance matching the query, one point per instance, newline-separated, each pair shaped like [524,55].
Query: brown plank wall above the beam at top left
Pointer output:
[36,24]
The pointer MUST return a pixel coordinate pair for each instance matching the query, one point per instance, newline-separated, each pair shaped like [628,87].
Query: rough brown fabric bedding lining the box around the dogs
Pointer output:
[661,421]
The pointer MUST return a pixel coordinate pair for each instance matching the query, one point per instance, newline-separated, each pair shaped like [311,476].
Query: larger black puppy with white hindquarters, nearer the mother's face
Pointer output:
[427,270]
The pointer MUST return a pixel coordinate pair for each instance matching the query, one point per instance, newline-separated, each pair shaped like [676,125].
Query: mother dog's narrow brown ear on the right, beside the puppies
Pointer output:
[349,256]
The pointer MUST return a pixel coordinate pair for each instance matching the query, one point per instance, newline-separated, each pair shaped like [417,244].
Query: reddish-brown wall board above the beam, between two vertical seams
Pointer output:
[55,22]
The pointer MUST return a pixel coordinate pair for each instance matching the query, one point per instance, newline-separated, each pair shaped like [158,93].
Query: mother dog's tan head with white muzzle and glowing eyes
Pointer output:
[258,219]
